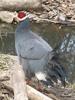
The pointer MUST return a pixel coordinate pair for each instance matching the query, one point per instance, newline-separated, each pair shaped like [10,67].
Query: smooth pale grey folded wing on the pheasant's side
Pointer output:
[32,49]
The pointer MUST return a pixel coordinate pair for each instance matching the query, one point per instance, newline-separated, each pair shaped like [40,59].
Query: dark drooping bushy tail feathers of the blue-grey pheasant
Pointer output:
[56,72]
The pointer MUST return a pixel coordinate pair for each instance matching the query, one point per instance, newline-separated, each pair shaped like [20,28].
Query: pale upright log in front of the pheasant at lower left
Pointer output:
[18,82]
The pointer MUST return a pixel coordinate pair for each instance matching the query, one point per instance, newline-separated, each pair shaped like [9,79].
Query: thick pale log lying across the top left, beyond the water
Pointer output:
[19,4]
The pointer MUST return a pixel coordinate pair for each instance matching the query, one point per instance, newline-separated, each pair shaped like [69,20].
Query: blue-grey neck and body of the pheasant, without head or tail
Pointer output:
[33,51]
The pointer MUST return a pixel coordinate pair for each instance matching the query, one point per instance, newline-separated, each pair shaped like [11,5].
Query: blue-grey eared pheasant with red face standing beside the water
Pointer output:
[36,55]
